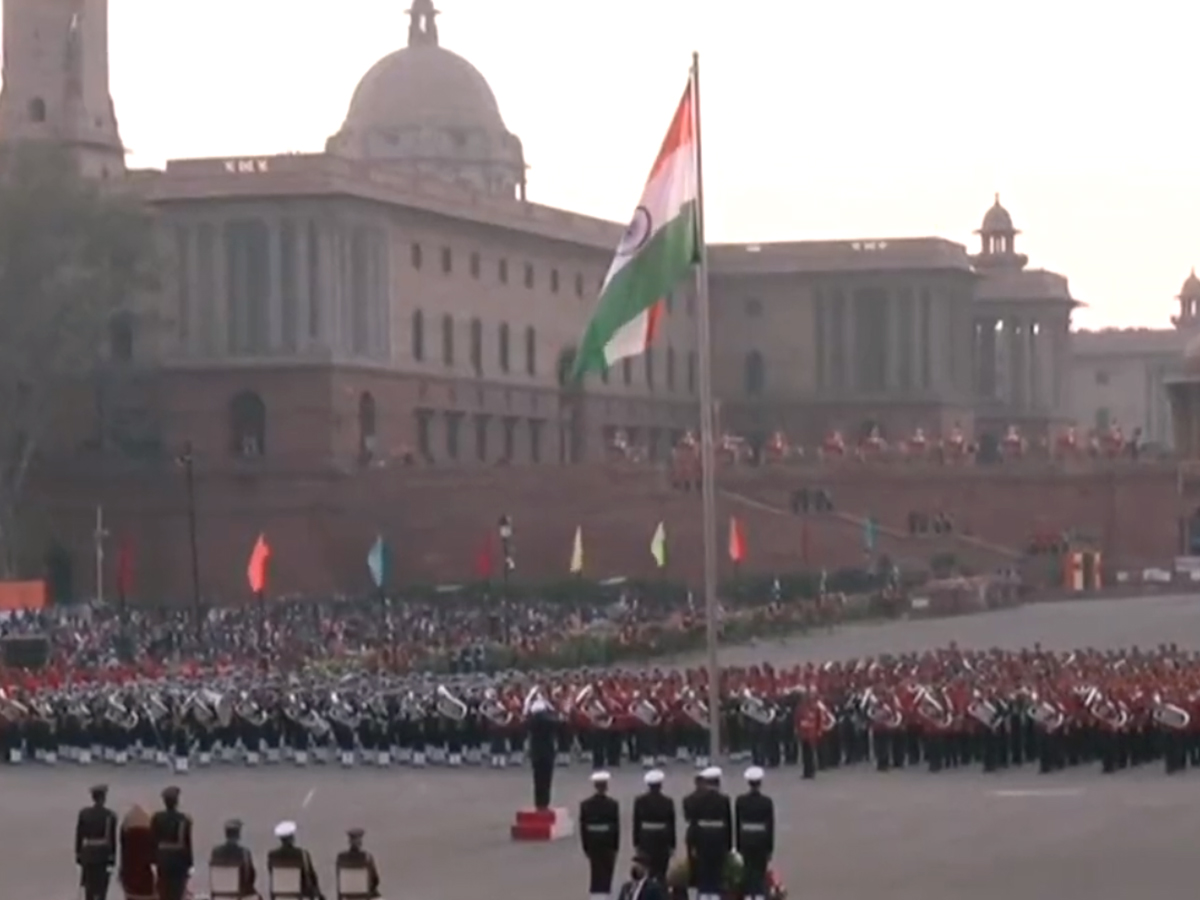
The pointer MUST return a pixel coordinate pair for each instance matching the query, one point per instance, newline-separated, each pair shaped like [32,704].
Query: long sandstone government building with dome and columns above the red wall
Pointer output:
[400,298]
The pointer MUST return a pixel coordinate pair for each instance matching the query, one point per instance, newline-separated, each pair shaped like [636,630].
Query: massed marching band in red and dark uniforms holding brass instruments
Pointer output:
[943,710]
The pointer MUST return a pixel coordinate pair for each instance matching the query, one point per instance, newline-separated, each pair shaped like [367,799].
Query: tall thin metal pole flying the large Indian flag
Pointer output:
[707,439]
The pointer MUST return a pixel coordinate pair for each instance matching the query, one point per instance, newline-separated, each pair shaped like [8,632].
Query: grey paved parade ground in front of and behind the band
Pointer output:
[443,836]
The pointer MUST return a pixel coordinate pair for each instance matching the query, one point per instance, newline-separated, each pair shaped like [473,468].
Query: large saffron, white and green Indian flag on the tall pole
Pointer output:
[659,248]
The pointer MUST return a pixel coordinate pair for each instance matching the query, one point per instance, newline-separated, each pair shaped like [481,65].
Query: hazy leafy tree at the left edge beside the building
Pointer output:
[76,257]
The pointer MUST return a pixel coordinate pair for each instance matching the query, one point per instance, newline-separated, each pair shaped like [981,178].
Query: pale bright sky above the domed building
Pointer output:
[821,121]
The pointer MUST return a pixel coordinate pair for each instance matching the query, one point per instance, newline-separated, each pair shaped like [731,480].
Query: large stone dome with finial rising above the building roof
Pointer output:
[429,112]
